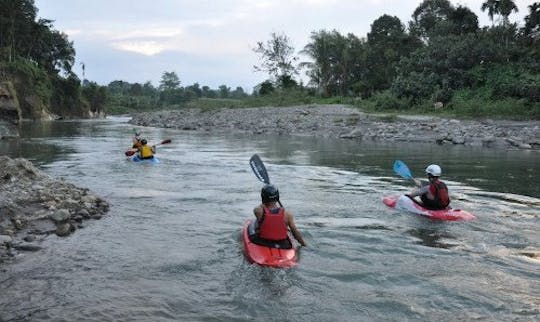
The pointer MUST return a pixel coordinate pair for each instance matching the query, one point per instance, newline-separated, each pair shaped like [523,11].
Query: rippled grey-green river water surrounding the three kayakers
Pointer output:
[170,248]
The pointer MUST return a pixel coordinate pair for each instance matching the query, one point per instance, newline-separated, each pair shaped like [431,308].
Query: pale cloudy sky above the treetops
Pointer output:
[209,42]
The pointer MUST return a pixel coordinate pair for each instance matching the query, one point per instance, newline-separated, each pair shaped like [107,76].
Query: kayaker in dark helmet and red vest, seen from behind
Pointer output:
[273,220]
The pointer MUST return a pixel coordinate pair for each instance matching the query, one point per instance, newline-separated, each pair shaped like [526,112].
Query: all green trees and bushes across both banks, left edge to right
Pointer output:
[441,62]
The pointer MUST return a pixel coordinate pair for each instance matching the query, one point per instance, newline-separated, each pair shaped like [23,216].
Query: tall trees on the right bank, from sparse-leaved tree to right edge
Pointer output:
[442,56]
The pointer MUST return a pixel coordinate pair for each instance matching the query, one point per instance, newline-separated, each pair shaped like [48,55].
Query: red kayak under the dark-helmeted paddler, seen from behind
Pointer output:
[271,254]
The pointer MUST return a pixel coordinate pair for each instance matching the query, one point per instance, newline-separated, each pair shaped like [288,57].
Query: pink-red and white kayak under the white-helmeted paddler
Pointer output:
[403,202]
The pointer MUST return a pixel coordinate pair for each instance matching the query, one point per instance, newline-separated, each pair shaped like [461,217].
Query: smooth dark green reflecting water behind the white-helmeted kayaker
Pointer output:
[505,171]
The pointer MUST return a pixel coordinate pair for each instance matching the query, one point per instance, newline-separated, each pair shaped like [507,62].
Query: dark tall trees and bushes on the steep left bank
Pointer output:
[38,59]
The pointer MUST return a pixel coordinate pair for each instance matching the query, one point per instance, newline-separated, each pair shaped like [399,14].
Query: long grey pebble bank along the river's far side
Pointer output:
[341,121]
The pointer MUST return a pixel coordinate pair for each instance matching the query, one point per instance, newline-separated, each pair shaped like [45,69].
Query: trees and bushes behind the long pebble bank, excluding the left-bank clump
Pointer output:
[442,63]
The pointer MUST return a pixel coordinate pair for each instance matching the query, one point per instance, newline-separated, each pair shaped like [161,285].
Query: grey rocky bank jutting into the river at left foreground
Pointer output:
[34,205]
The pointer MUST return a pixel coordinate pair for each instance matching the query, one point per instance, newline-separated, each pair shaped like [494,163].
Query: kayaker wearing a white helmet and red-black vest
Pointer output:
[434,195]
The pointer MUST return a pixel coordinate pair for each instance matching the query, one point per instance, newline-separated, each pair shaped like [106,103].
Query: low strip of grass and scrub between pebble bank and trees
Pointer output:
[464,104]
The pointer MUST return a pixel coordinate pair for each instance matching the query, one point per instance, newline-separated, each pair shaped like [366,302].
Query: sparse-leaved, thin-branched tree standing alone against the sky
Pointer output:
[277,57]
